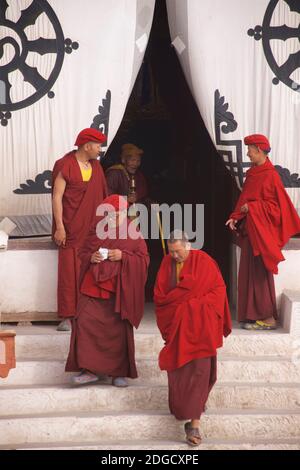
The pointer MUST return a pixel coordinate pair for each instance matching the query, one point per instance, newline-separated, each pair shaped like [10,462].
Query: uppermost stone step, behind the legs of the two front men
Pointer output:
[44,342]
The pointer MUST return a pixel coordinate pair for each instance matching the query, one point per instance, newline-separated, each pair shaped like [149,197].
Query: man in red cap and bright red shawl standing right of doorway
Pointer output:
[264,219]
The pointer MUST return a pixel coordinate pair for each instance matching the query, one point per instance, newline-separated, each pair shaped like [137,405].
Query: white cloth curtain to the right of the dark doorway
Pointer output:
[242,63]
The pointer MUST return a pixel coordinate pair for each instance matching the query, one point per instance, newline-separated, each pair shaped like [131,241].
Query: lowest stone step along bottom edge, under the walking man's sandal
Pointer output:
[207,444]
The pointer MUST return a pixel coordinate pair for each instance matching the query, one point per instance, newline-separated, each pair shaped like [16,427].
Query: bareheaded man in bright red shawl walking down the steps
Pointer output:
[193,316]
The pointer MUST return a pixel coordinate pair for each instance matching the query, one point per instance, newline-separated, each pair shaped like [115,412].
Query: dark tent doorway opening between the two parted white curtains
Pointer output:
[180,161]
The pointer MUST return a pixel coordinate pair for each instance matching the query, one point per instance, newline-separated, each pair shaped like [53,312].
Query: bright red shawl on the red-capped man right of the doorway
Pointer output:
[272,218]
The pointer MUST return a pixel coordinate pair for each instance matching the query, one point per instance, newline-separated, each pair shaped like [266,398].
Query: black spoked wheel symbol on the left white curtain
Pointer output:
[29,63]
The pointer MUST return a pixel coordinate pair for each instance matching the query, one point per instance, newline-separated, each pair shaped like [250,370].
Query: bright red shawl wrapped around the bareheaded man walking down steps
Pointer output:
[194,316]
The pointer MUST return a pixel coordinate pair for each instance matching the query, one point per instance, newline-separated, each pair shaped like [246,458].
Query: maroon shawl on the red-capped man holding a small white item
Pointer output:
[130,272]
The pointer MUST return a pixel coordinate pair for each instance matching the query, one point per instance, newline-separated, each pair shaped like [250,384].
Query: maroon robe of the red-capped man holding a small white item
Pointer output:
[102,338]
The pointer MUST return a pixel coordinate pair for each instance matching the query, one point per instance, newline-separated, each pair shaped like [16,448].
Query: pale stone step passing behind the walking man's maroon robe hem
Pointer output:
[103,398]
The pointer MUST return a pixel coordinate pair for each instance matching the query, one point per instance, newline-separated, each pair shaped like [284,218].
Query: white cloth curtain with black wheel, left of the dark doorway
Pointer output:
[64,65]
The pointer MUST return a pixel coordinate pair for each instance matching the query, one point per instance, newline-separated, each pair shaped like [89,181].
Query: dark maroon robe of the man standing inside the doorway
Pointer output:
[118,182]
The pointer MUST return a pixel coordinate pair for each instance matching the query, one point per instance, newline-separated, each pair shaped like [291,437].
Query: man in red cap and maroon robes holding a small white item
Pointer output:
[114,272]
